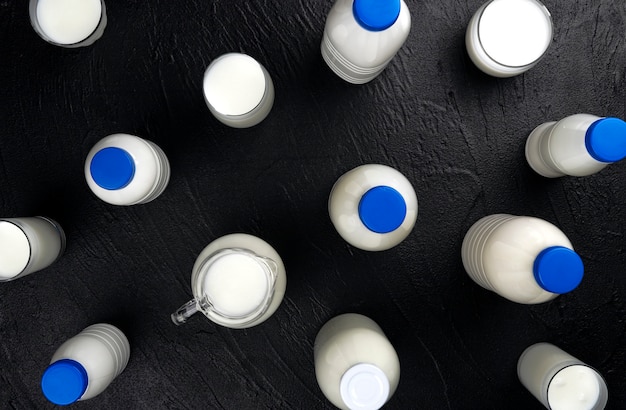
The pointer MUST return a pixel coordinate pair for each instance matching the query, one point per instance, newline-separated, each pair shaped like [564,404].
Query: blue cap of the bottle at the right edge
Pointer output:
[606,140]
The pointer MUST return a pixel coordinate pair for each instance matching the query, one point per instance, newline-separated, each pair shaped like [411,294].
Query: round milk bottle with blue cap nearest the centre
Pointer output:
[373,207]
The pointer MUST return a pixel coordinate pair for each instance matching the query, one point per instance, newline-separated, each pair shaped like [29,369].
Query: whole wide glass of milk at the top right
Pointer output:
[508,37]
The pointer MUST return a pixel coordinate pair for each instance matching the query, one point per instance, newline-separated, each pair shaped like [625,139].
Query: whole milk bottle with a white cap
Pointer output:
[355,365]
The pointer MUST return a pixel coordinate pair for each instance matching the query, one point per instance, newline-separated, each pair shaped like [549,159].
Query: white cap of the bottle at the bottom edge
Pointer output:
[364,387]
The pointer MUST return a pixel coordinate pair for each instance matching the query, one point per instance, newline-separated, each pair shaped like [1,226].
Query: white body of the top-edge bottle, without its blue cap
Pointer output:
[356,54]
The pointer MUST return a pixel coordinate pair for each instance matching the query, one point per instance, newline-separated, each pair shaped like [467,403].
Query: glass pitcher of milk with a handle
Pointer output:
[238,281]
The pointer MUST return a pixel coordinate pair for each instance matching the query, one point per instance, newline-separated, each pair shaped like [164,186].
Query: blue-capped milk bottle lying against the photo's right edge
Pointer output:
[578,145]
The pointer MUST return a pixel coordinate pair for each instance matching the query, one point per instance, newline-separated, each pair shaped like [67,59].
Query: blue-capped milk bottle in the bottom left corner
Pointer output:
[86,364]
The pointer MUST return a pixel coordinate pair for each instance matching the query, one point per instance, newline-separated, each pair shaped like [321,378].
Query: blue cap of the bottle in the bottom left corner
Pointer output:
[64,382]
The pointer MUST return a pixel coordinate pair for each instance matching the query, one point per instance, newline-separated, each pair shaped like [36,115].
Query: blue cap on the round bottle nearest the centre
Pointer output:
[382,209]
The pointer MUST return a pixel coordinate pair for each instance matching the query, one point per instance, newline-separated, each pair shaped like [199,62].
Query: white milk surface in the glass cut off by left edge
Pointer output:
[14,250]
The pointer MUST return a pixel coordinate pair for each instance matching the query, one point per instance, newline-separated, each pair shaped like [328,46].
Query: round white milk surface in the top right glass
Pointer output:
[515,33]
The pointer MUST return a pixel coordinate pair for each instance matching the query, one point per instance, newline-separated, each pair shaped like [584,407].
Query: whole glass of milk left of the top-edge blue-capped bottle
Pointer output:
[238,90]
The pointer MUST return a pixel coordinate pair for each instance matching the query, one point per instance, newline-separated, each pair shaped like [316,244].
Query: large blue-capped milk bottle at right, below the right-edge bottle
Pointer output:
[524,259]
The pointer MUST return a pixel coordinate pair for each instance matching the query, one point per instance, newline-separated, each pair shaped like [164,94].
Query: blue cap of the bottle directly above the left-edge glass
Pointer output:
[112,168]
